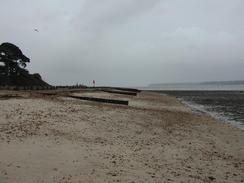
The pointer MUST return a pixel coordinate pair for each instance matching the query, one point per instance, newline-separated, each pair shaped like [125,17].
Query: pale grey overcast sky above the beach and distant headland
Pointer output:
[128,42]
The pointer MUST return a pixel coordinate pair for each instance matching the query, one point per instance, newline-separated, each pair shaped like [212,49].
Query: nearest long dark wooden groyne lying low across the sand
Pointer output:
[103,100]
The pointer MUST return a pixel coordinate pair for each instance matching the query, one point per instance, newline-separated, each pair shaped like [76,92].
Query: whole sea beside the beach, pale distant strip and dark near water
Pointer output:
[221,101]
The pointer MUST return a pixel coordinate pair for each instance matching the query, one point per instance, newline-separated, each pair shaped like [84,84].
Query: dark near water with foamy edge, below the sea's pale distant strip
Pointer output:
[225,106]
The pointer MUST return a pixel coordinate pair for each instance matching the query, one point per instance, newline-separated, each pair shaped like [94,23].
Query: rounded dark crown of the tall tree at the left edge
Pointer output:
[12,59]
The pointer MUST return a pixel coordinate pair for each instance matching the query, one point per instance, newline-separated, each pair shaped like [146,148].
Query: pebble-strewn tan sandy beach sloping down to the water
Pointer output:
[154,139]
